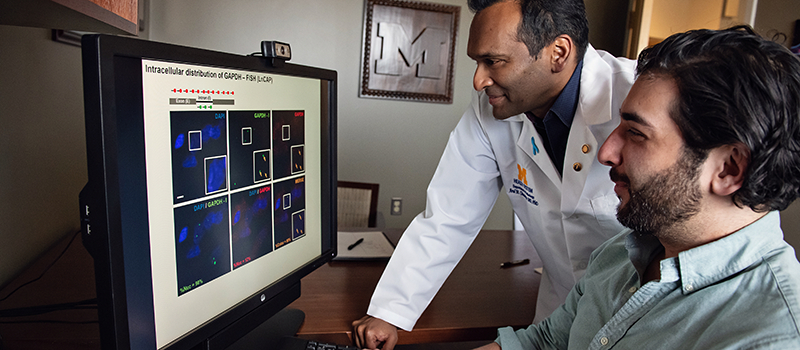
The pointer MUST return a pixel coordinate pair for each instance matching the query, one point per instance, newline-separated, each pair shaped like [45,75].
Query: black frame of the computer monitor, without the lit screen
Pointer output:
[114,202]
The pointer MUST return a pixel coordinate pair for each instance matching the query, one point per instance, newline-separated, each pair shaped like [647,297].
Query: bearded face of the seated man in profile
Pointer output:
[655,176]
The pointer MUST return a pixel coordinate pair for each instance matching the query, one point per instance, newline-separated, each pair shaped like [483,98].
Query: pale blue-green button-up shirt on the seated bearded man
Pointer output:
[739,292]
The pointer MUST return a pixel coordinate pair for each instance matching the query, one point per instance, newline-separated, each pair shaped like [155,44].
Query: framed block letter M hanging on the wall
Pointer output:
[408,50]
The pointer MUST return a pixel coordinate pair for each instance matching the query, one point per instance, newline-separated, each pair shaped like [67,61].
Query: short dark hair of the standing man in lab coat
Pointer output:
[544,20]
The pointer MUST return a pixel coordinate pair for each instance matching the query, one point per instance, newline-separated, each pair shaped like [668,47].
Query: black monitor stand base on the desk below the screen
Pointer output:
[285,323]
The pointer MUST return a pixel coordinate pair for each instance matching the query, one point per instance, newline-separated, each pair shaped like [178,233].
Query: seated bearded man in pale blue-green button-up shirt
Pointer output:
[706,154]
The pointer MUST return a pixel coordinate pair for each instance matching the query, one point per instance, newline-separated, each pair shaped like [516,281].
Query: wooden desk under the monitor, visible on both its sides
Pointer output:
[477,298]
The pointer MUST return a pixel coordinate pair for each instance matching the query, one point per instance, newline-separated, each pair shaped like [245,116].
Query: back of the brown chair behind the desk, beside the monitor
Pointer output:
[357,204]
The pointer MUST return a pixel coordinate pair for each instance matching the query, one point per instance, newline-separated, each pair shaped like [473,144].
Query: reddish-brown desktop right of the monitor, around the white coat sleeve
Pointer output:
[476,299]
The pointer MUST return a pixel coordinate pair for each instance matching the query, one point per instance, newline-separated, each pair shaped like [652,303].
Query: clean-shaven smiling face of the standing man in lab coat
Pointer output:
[514,81]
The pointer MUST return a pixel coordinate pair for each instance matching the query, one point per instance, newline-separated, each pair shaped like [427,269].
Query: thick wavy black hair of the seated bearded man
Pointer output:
[737,87]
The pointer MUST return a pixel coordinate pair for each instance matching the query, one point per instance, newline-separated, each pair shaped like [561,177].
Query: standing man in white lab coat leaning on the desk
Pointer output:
[544,102]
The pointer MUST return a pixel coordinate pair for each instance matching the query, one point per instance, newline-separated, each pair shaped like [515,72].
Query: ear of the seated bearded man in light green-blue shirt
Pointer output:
[731,164]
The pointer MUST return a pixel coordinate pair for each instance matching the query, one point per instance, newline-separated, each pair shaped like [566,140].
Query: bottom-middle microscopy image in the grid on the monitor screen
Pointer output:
[251,222]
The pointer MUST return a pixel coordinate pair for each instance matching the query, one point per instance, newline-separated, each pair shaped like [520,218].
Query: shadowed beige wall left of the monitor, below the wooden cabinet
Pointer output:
[43,157]
